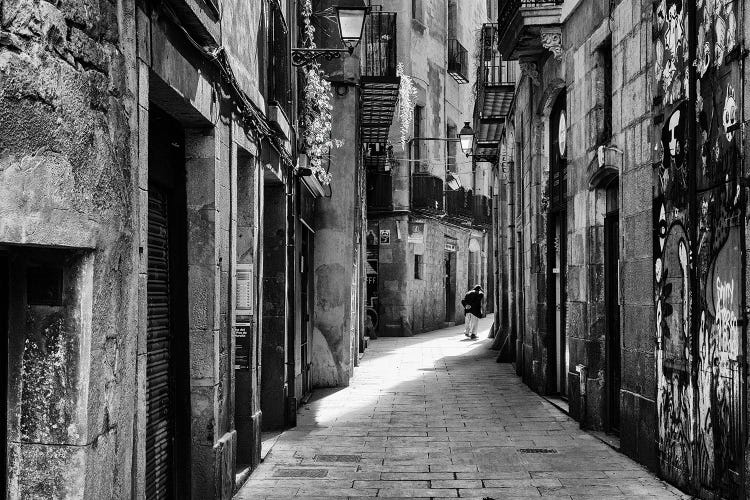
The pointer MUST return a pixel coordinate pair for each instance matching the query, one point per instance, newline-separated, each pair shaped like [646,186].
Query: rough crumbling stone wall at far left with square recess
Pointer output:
[67,180]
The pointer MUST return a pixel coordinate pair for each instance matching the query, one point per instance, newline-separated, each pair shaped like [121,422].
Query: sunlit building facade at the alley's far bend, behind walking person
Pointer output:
[428,203]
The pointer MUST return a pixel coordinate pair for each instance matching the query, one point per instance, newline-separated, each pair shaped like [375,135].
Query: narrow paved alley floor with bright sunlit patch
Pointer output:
[433,416]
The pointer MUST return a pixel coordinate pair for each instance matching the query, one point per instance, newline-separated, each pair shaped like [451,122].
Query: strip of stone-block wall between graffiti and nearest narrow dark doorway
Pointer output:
[632,95]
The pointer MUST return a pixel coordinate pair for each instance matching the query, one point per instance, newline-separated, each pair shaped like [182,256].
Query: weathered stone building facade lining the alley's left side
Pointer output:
[157,245]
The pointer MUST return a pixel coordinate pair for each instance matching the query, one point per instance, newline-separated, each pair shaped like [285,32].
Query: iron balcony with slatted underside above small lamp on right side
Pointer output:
[496,87]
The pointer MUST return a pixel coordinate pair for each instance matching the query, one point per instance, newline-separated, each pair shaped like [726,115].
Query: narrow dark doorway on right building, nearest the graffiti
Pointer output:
[612,300]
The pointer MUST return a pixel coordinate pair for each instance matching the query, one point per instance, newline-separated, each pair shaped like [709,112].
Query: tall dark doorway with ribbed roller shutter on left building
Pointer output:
[167,372]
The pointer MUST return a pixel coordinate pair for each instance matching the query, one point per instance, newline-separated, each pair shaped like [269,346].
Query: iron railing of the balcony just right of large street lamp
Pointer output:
[379,45]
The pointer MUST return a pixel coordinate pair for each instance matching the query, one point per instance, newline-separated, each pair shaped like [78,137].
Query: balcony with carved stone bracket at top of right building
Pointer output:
[528,28]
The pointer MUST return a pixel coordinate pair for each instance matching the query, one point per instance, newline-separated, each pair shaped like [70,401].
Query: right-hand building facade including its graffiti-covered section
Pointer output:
[619,220]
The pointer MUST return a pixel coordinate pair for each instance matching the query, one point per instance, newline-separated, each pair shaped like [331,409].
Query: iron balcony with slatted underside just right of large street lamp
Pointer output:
[379,81]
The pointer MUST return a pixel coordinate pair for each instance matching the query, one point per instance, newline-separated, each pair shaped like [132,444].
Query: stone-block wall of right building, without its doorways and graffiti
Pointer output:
[589,30]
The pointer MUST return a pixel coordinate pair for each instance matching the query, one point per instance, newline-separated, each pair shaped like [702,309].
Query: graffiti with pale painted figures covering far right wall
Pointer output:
[698,215]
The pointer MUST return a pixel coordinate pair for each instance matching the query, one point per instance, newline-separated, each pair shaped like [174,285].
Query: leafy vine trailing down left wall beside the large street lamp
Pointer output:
[316,117]
